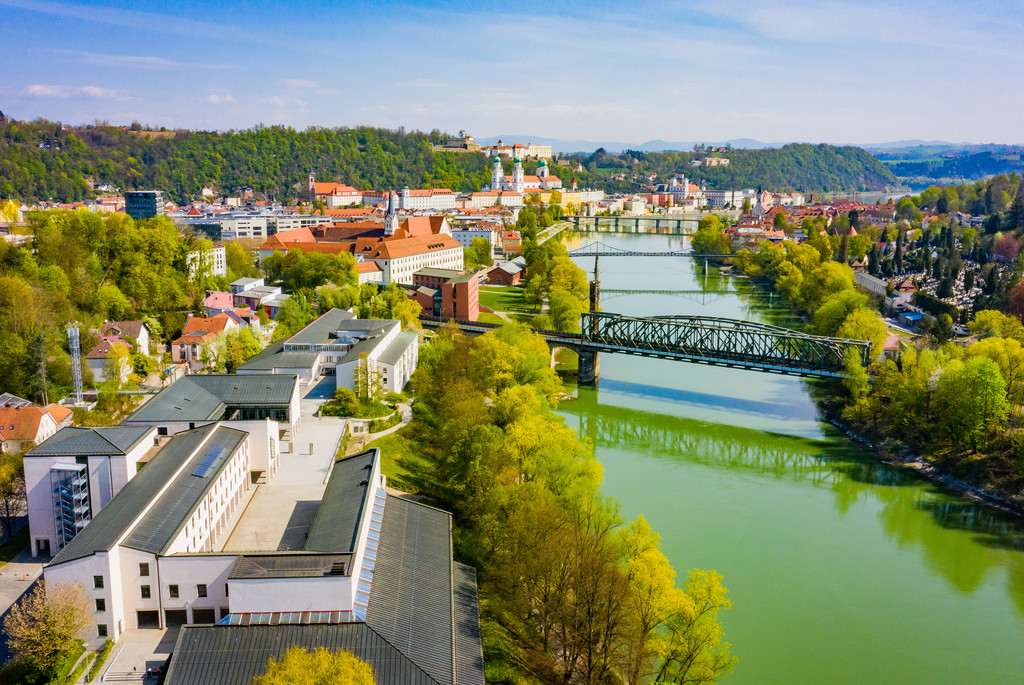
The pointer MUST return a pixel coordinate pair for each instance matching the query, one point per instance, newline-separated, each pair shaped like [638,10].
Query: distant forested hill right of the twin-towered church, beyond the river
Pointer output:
[795,167]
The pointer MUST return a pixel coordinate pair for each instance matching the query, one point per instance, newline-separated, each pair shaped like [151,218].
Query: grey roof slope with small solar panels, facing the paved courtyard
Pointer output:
[162,524]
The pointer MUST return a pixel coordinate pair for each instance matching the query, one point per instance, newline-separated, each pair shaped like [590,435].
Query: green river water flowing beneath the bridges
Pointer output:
[841,570]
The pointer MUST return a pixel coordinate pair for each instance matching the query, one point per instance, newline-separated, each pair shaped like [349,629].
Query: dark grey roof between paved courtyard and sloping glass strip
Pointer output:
[336,527]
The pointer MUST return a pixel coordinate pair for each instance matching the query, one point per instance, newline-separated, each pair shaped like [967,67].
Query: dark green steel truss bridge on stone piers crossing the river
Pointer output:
[723,342]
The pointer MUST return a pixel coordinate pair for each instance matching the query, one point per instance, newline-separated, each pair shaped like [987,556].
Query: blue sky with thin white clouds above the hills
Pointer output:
[829,71]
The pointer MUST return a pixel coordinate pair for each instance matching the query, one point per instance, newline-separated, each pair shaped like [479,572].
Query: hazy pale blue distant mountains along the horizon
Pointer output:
[569,146]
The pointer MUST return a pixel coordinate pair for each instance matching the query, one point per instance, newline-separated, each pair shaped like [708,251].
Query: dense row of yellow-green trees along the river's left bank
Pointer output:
[588,600]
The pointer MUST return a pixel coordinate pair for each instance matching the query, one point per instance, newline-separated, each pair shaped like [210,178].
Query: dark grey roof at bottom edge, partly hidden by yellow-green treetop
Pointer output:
[235,656]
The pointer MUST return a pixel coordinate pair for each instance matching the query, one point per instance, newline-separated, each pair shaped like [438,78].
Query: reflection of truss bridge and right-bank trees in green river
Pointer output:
[913,512]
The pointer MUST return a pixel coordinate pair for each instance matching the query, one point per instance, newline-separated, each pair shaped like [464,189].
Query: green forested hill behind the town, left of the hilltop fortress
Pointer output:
[45,160]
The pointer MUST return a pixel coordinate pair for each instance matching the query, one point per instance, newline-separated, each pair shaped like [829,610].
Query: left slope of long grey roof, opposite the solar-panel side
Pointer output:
[113,521]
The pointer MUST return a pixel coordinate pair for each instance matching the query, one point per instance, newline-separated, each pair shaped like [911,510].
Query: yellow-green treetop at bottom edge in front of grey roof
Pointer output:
[302,667]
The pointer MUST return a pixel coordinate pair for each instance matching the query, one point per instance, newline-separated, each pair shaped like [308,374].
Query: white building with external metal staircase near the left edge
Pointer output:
[73,475]
